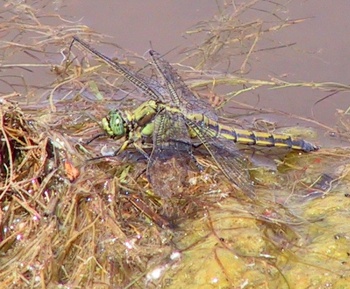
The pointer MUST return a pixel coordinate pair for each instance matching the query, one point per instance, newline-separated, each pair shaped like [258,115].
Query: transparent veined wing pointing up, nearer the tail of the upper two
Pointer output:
[180,95]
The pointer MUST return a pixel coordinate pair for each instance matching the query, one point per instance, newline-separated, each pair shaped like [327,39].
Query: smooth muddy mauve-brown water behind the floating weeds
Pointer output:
[319,51]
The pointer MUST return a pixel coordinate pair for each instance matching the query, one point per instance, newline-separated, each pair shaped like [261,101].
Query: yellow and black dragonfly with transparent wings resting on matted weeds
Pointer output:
[175,120]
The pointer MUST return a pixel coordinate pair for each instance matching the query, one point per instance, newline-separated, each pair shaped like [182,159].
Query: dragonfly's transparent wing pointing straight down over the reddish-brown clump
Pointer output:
[171,154]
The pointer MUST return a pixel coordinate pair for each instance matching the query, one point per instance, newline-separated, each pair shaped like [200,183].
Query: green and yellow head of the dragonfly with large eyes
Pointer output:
[114,124]
